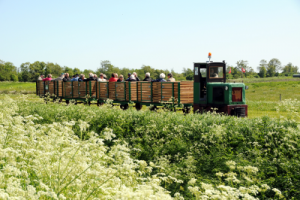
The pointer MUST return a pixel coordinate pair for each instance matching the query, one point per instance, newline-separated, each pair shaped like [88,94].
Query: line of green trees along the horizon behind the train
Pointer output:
[29,72]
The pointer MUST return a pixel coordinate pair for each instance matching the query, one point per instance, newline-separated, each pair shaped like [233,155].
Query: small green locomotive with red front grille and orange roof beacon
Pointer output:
[211,90]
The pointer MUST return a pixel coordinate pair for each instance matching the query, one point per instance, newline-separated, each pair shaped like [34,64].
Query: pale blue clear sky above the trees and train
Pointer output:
[165,34]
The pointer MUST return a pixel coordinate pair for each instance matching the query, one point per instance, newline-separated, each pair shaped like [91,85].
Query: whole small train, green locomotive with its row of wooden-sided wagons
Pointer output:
[208,91]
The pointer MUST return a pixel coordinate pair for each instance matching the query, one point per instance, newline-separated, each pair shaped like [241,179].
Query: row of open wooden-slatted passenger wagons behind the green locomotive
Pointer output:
[140,93]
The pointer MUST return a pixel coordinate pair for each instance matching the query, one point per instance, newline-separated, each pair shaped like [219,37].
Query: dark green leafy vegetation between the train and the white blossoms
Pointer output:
[194,146]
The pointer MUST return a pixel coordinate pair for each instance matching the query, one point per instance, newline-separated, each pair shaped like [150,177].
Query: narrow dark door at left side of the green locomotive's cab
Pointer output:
[200,73]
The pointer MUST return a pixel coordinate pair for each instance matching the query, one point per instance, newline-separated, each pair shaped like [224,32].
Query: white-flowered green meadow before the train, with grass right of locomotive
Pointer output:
[54,151]
